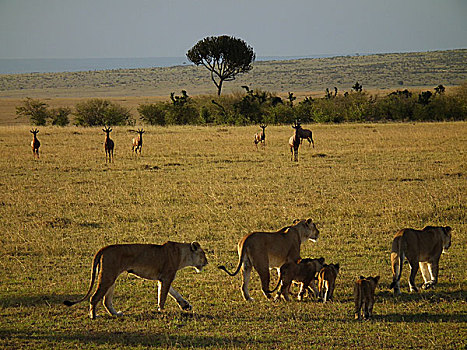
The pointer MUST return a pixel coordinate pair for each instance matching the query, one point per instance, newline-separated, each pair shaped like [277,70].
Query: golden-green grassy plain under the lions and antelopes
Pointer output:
[360,185]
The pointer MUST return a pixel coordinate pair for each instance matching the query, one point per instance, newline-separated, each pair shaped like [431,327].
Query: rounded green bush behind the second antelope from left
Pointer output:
[101,112]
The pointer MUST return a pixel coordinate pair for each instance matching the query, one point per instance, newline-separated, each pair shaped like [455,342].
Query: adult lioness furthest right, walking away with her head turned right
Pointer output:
[421,248]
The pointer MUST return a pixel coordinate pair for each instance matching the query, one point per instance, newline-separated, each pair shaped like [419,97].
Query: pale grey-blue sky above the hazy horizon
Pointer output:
[169,28]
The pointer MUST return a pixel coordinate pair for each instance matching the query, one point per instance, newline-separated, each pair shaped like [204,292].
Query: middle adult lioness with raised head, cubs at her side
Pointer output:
[263,250]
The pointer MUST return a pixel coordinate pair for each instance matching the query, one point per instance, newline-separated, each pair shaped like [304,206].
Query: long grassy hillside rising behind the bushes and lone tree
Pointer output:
[379,71]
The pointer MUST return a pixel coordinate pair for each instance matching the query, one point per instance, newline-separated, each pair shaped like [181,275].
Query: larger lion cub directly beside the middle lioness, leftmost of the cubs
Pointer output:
[303,272]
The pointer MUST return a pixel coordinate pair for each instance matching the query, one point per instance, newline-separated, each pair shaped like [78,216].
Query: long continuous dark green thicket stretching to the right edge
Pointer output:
[255,107]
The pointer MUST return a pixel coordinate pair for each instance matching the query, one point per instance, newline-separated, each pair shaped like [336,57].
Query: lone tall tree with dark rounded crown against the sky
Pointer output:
[224,56]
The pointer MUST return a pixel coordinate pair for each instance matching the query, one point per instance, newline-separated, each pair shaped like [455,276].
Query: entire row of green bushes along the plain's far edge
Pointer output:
[256,106]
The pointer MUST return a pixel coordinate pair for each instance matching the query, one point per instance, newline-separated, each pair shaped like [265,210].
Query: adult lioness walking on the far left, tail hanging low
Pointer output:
[149,261]
